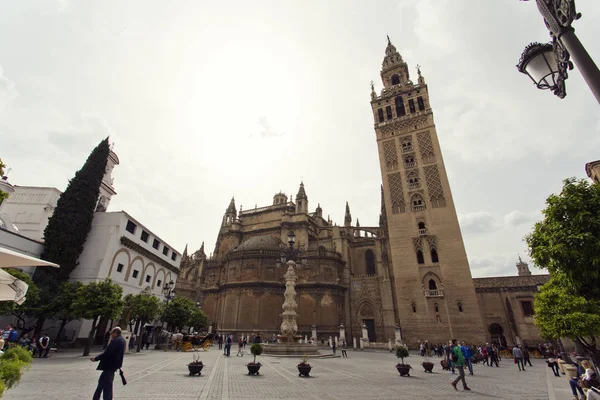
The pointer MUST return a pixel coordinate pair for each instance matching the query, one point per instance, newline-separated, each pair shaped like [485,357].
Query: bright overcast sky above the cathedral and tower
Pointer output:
[204,100]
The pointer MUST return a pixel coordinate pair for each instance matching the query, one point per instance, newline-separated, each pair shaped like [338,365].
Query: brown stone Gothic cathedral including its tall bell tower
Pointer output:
[409,273]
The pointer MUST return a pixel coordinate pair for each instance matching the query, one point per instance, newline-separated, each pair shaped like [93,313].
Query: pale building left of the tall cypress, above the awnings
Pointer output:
[30,208]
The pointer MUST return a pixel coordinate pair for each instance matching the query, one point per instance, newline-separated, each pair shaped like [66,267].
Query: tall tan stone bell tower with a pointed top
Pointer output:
[434,289]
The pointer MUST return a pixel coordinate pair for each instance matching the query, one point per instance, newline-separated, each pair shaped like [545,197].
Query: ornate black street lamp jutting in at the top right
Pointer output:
[547,64]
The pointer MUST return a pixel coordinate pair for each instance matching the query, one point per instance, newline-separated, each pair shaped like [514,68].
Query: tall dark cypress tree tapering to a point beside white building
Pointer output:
[67,229]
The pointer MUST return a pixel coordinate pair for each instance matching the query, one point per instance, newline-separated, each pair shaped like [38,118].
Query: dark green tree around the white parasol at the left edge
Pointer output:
[23,312]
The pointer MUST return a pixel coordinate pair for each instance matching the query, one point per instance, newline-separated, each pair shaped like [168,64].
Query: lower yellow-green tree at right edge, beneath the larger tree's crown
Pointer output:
[560,312]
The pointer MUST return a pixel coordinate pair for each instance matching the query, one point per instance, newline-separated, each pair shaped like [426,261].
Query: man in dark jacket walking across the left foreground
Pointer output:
[110,361]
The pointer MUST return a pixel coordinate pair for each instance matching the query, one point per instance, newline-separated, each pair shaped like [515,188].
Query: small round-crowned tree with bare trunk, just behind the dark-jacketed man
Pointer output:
[95,301]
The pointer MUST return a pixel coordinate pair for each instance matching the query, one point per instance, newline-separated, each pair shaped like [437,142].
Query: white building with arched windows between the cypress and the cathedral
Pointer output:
[120,248]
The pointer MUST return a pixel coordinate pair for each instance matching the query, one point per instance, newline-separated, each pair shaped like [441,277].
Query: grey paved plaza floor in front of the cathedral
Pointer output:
[364,375]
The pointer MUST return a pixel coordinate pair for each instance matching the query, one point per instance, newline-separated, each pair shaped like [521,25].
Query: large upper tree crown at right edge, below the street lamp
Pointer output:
[566,240]
